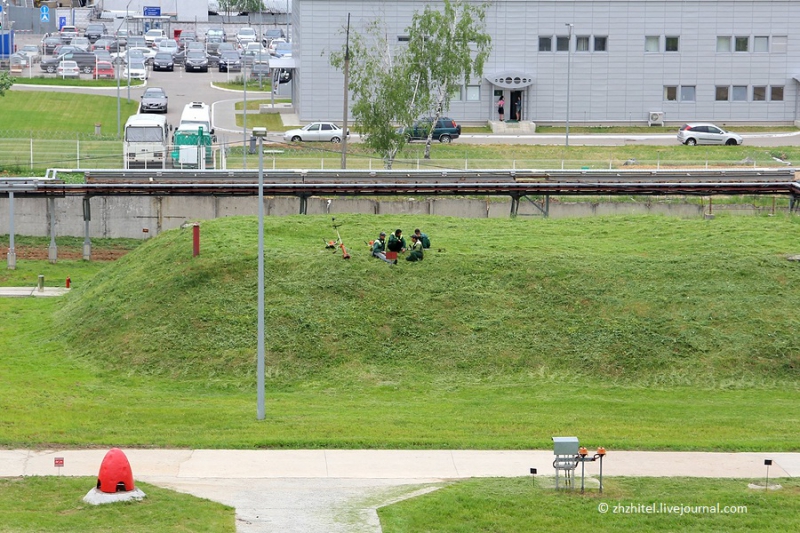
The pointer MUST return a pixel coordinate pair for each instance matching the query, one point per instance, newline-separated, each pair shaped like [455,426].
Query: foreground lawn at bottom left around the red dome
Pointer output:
[54,504]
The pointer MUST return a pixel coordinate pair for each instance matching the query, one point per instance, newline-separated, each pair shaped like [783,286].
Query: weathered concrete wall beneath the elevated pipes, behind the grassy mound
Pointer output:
[141,217]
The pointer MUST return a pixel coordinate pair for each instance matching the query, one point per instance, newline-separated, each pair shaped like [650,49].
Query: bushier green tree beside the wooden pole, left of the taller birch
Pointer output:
[383,88]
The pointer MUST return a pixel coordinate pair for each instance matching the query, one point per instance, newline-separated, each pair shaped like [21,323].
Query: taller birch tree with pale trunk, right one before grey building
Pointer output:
[446,49]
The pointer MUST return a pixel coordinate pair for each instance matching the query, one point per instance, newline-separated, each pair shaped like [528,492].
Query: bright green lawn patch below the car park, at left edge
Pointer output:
[44,113]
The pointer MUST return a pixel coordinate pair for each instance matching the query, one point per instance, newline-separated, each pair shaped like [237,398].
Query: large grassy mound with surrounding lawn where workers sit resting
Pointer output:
[630,332]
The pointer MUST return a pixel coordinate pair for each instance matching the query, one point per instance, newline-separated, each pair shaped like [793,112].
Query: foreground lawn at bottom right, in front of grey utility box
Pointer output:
[626,504]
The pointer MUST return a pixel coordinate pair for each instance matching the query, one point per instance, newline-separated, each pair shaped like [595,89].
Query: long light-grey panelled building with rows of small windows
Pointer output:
[626,61]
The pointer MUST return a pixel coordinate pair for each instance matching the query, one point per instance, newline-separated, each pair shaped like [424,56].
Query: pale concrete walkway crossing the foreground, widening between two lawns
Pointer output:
[340,490]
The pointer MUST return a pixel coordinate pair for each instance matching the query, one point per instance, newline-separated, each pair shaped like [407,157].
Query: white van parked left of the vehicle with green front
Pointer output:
[146,142]
